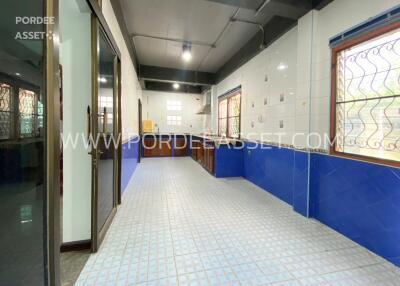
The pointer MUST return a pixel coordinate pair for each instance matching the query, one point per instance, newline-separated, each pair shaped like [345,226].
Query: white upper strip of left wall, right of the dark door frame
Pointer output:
[131,90]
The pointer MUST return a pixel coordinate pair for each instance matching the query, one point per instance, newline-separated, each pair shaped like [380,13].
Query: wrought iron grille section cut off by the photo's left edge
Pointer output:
[6,111]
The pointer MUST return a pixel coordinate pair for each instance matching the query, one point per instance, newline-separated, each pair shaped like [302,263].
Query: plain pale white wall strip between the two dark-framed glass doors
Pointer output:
[75,58]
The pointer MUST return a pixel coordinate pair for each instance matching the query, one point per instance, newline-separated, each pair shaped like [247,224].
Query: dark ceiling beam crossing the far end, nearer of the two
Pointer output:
[176,75]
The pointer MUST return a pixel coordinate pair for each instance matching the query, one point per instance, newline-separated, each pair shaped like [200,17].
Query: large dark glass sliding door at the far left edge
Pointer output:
[27,243]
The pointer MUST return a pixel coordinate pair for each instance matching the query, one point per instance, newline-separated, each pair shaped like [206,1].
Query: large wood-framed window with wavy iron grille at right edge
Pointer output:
[366,97]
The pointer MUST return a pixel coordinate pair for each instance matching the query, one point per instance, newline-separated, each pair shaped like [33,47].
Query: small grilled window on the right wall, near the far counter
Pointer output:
[229,115]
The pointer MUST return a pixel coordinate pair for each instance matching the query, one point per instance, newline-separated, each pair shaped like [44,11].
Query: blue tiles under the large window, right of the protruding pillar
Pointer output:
[360,200]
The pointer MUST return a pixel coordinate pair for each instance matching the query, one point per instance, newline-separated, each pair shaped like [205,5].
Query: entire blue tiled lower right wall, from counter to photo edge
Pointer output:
[358,199]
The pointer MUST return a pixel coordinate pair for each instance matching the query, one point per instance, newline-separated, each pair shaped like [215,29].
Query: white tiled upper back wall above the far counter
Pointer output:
[155,108]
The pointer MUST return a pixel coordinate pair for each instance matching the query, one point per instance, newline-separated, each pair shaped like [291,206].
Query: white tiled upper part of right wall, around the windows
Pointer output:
[306,82]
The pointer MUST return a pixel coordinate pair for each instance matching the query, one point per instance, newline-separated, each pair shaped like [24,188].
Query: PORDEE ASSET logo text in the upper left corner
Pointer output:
[32,22]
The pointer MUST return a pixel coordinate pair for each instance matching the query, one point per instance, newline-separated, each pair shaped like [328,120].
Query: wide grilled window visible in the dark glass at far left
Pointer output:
[23,107]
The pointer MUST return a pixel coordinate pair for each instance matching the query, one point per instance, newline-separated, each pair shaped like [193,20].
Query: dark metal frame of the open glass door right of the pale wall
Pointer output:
[97,237]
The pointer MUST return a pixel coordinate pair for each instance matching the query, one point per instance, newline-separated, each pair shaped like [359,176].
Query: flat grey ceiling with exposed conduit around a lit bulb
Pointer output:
[158,28]
